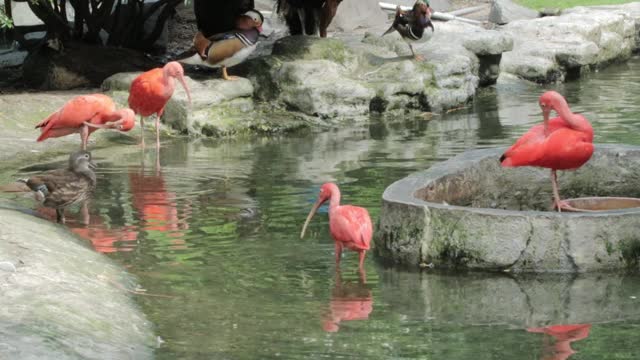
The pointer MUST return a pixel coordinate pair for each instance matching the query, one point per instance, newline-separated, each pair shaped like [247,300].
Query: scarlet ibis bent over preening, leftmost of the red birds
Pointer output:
[85,114]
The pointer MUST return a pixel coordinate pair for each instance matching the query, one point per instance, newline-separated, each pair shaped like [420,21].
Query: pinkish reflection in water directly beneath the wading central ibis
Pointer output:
[349,301]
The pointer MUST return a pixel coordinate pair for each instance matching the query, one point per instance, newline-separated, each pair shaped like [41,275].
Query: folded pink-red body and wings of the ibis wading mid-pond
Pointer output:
[352,225]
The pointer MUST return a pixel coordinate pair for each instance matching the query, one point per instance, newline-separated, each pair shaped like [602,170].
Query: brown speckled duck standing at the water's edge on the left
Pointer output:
[63,187]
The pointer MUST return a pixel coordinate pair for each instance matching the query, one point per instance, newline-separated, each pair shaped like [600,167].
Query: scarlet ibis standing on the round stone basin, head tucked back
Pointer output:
[562,143]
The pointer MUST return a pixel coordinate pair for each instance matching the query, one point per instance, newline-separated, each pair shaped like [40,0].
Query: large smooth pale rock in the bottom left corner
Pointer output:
[65,301]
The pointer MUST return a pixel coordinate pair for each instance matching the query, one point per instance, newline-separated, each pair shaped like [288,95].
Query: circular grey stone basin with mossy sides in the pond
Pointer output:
[470,212]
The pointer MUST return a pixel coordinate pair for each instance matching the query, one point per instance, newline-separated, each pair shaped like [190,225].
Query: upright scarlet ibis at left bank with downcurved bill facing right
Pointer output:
[150,92]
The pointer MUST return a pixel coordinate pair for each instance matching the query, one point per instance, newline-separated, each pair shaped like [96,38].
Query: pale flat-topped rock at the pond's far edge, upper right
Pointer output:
[550,48]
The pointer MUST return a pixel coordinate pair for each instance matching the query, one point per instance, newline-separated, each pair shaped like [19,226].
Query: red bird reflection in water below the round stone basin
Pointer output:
[564,335]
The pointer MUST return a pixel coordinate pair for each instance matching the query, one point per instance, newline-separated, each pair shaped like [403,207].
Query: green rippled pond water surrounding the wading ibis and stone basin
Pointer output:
[212,235]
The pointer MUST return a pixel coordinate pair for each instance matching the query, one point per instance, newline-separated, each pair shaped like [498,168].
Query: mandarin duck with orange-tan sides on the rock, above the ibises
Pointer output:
[230,48]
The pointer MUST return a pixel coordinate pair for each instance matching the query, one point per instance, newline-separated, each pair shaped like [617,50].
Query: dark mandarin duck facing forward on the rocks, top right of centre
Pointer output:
[411,24]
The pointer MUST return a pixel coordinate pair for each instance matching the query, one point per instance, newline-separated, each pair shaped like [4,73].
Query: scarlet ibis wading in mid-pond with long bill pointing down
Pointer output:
[350,226]
